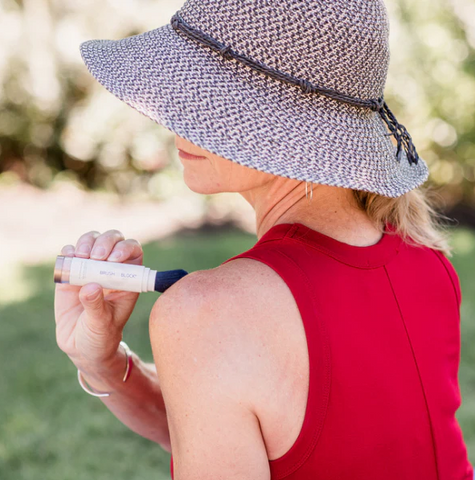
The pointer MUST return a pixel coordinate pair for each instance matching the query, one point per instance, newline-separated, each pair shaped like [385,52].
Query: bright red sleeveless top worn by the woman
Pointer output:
[383,334]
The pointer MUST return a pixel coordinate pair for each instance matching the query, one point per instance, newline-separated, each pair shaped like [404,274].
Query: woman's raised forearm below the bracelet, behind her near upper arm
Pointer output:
[137,403]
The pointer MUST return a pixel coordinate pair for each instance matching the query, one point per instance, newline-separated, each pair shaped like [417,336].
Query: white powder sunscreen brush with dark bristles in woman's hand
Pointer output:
[113,275]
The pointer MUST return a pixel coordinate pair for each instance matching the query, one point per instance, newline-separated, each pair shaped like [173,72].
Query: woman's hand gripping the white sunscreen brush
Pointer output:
[90,319]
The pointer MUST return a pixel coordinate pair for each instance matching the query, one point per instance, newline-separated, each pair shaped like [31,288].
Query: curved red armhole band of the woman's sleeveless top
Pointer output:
[318,346]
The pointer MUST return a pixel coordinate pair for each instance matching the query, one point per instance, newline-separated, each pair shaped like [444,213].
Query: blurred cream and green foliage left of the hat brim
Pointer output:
[56,121]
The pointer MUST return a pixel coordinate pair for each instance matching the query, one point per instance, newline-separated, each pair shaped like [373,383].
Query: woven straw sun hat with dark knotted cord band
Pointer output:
[289,87]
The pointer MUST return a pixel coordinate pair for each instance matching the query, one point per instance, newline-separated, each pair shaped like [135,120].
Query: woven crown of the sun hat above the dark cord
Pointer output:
[342,45]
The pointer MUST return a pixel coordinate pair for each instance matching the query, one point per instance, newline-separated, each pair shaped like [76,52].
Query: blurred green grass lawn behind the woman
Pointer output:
[50,428]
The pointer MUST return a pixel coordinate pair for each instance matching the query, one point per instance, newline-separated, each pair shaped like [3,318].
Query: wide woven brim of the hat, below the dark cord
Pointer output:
[233,111]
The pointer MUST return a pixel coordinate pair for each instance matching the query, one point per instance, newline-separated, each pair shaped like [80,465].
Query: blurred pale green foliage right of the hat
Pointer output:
[432,77]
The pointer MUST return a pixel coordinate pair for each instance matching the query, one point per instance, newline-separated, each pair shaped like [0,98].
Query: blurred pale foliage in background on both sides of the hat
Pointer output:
[58,123]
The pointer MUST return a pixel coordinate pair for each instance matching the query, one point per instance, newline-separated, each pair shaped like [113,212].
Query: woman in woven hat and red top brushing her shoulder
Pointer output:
[328,350]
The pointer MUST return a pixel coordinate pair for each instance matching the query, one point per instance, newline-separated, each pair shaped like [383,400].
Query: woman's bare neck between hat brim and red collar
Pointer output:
[332,210]
